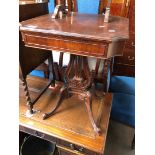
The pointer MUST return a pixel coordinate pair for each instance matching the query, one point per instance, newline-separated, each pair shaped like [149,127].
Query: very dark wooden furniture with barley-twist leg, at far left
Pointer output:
[31,58]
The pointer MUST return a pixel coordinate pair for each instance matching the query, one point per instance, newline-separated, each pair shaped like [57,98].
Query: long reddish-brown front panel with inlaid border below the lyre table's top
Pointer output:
[77,47]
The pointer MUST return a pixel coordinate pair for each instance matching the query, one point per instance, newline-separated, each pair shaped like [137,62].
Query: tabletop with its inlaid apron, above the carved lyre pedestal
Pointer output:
[79,34]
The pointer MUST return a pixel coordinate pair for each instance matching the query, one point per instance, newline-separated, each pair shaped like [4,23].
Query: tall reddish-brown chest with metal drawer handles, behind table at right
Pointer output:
[125,65]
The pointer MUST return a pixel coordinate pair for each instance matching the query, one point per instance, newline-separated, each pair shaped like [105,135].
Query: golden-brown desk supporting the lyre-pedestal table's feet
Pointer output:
[72,133]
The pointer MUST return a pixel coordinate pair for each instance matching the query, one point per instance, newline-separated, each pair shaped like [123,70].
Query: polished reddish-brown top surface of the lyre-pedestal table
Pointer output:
[88,26]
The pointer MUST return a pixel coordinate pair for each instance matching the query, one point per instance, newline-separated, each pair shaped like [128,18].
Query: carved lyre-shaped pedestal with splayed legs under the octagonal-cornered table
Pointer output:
[78,80]
